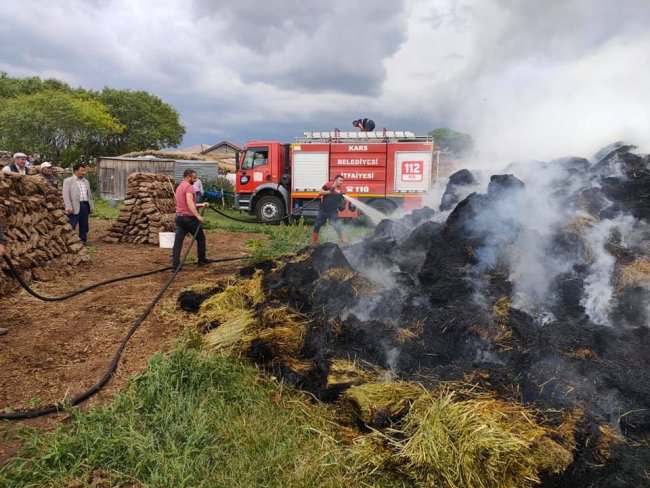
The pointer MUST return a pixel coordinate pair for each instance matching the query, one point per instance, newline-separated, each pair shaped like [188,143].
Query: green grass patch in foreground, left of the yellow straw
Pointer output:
[192,420]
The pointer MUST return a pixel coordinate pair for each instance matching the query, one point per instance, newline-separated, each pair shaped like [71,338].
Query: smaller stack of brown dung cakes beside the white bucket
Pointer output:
[149,208]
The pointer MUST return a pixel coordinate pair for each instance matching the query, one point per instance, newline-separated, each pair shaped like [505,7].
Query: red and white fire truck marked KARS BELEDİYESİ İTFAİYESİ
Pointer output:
[384,169]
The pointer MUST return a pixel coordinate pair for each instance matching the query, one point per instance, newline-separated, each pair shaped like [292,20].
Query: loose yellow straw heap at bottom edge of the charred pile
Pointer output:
[449,440]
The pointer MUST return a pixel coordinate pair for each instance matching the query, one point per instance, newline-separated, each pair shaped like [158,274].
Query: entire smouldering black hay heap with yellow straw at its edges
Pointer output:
[504,343]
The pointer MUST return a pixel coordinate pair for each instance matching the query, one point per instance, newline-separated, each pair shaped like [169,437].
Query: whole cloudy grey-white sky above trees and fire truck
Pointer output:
[533,79]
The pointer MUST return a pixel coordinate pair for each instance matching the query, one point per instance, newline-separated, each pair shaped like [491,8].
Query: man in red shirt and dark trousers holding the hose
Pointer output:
[188,220]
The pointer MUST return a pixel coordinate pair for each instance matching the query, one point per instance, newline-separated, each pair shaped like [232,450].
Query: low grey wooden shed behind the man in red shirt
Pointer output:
[114,171]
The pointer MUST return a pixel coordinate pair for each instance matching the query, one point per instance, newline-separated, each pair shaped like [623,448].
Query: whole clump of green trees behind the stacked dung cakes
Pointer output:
[79,122]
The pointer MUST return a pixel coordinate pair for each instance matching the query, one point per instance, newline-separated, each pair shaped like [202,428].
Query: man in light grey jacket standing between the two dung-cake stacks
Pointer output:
[78,201]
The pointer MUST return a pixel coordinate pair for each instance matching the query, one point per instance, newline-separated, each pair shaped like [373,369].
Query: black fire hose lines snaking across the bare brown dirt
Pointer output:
[58,407]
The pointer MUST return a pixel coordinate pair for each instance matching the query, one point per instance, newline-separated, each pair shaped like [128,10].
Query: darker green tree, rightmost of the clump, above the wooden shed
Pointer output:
[149,123]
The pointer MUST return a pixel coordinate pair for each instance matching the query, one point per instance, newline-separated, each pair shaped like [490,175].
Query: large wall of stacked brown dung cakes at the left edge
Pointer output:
[40,243]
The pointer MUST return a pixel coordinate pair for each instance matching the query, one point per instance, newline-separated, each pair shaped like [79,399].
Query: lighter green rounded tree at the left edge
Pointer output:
[56,124]
